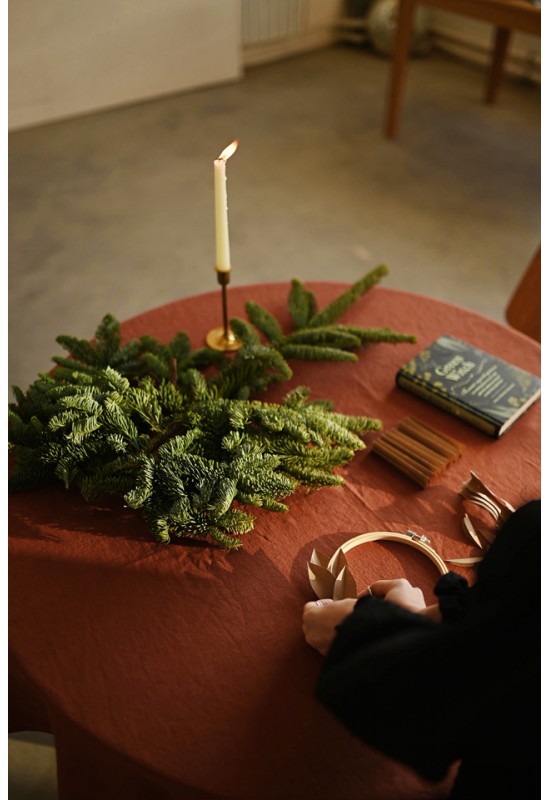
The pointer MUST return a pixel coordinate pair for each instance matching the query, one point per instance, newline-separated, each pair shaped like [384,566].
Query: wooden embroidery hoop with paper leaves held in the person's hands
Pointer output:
[331,577]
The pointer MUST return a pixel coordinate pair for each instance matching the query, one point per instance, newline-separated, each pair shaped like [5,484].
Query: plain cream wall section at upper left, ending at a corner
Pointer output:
[68,57]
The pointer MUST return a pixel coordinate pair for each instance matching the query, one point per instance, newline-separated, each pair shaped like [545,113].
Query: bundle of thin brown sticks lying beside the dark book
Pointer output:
[417,450]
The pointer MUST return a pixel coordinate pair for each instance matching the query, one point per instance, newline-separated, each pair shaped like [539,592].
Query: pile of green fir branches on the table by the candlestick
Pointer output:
[178,432]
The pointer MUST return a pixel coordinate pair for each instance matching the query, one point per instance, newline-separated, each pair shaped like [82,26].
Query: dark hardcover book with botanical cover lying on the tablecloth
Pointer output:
[478,387]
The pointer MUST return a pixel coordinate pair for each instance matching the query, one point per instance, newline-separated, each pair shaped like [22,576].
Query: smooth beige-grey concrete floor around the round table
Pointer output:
[114,211]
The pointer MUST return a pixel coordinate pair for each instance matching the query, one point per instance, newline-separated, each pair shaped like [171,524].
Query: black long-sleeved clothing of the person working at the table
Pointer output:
[427,693]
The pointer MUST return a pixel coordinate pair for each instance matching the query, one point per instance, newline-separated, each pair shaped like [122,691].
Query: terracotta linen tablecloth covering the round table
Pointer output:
[180,671]
